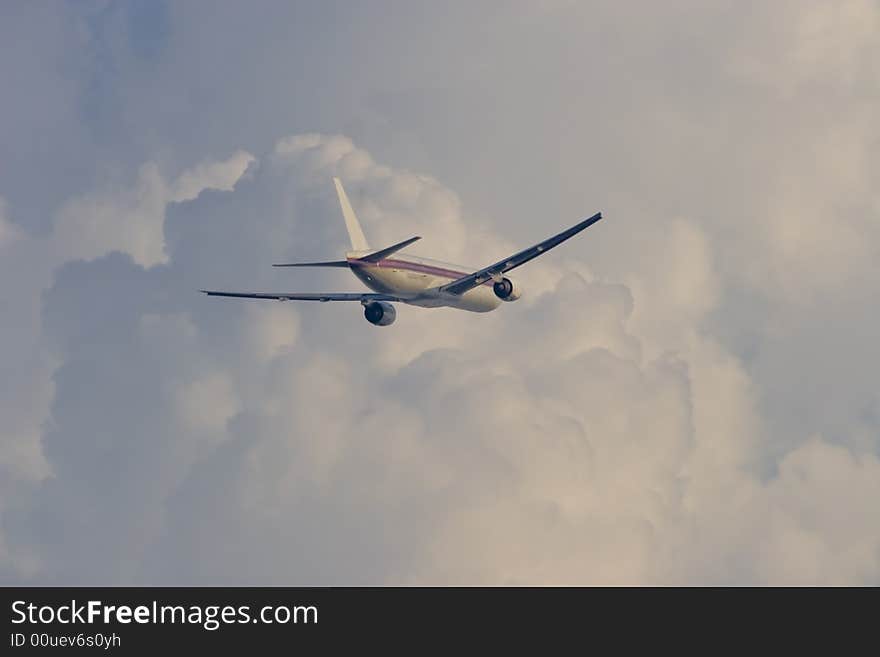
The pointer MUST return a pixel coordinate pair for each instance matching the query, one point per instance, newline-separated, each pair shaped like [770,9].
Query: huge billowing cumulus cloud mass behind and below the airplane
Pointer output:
[545,443]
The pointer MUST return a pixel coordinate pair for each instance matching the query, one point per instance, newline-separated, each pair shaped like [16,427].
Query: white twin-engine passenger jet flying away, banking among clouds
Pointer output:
[415,281]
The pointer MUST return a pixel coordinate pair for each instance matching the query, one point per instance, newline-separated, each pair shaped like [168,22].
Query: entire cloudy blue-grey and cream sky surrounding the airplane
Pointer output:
[686,394]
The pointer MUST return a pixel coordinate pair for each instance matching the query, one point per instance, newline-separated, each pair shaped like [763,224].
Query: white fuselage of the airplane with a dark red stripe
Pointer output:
[415,280]
